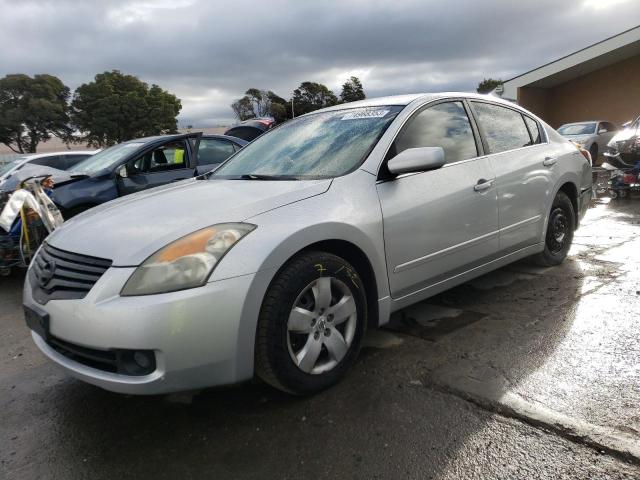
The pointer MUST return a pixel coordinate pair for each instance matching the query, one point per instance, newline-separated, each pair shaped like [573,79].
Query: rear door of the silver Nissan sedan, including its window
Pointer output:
[520,158]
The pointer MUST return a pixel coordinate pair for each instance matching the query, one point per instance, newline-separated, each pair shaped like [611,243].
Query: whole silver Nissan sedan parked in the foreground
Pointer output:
[277,262]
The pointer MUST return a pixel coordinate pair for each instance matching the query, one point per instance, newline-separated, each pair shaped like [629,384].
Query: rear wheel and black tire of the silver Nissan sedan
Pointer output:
[559,235]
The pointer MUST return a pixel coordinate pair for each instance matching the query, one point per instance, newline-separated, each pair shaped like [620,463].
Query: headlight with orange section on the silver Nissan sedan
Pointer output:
[187,262]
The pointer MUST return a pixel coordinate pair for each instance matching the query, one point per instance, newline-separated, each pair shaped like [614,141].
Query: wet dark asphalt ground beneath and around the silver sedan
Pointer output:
[523,373]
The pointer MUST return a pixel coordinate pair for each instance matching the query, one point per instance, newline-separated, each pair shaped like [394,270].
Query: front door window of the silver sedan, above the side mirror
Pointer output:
[444,125]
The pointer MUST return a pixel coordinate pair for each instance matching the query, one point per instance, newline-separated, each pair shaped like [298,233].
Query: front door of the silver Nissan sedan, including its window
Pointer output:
[439,223]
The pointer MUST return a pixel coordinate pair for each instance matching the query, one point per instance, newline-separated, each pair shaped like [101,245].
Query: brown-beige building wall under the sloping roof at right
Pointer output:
[611,93]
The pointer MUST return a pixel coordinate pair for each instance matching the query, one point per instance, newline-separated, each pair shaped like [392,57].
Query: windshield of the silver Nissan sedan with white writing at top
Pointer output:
[320,145]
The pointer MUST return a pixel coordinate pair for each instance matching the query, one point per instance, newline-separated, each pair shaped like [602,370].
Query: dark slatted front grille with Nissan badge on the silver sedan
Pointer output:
[57,274]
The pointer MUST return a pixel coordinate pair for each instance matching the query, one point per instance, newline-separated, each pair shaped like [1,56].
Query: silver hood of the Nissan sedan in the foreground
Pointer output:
[130,229]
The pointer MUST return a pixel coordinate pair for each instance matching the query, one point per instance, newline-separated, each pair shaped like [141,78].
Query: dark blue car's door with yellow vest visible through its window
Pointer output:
[168,162]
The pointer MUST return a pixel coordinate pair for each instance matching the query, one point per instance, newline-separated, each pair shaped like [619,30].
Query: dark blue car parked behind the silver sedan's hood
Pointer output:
[137,165]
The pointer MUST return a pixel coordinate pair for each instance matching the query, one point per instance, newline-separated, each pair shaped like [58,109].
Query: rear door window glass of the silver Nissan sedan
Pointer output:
[504,128]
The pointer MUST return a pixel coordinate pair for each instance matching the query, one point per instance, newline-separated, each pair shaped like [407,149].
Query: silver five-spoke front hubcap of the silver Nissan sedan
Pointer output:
[321,325]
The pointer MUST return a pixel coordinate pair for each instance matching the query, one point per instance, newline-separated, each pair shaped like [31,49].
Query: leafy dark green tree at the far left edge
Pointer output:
[31,110]
